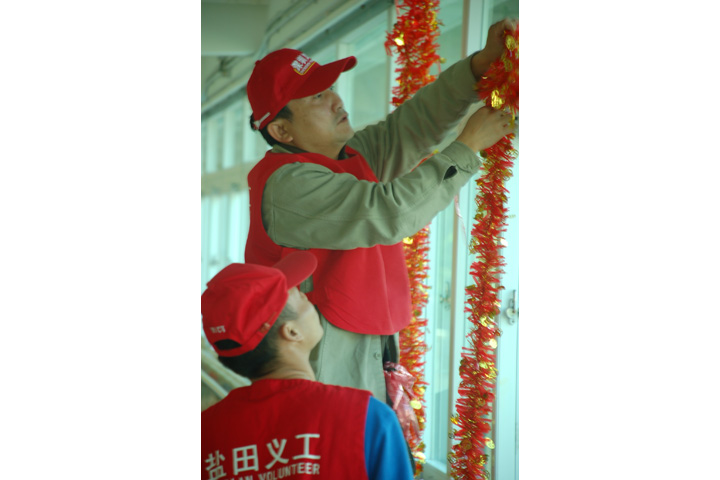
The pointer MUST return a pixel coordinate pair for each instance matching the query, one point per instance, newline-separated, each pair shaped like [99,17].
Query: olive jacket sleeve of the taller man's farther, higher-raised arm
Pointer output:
[410,133]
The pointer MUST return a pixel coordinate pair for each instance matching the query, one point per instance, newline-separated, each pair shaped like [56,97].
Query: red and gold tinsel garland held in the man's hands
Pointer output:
[498,88]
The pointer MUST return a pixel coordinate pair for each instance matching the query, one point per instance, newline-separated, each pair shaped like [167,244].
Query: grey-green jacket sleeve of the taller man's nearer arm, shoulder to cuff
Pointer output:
[308,206]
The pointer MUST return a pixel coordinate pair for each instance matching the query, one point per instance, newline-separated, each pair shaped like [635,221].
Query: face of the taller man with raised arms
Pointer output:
[319,123]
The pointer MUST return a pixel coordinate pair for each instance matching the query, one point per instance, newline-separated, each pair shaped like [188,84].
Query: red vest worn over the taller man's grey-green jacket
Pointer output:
[364,290]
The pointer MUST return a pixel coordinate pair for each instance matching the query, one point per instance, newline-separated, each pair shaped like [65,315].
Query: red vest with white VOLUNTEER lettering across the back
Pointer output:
[290,429]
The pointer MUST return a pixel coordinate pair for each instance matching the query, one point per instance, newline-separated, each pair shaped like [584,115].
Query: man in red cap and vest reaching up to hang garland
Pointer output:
[351,197]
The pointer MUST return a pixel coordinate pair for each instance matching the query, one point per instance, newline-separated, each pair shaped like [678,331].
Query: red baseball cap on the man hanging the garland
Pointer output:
[285,75]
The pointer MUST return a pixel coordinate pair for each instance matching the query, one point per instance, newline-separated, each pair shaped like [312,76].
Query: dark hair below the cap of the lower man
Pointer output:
[261,360]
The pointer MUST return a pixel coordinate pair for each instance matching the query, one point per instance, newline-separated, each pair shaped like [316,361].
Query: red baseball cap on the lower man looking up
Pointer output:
[243,300]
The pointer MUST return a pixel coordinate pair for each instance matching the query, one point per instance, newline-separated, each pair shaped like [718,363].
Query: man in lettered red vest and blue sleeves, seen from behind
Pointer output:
[286,424]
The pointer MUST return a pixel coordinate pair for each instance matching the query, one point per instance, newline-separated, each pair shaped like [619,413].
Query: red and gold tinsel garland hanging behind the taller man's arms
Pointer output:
[414,38]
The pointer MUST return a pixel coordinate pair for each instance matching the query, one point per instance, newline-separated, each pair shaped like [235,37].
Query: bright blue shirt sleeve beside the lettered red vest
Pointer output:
[386,453]
